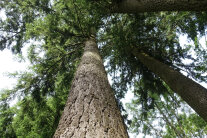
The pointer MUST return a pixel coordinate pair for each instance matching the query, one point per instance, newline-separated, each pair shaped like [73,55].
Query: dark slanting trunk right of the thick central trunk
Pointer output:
[191,92]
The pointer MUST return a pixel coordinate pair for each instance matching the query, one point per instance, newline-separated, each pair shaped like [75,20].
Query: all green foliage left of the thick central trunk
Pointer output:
[56,41]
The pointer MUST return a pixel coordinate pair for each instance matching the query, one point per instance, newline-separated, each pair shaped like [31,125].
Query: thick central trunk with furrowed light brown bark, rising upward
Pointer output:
[91,110]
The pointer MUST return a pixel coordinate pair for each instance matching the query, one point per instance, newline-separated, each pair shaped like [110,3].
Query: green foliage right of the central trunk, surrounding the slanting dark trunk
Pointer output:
[154,34]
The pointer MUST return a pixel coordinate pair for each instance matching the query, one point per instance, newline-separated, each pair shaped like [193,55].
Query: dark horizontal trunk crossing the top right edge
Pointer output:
[133,6]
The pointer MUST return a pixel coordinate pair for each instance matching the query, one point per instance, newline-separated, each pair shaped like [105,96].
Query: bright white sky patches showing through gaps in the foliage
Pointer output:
[10,64]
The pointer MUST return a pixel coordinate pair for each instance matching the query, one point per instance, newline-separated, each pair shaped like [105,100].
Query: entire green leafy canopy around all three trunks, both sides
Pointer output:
[55,32]
